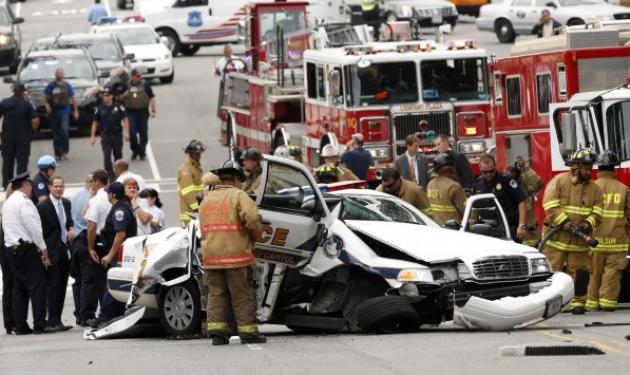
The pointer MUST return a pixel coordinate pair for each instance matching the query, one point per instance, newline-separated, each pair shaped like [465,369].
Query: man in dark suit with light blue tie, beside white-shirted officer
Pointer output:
[58,229]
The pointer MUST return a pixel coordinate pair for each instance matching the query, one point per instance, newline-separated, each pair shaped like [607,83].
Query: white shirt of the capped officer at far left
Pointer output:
[20,220]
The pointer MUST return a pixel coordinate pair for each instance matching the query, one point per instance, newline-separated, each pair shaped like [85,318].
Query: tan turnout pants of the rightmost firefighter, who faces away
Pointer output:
[605,283]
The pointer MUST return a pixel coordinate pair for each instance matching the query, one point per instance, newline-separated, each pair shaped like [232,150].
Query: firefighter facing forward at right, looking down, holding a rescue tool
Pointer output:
[572,200]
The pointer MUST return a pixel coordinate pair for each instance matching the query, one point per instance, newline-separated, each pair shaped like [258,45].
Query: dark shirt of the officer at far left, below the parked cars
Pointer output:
[17,113]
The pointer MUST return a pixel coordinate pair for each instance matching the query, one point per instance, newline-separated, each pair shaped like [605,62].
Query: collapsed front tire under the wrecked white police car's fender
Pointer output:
[387,314]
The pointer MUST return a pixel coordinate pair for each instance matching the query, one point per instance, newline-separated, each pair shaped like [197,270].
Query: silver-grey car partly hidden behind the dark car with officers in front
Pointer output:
[105,49]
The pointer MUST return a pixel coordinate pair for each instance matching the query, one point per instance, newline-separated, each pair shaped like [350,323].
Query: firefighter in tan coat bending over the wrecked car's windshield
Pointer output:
[392,183]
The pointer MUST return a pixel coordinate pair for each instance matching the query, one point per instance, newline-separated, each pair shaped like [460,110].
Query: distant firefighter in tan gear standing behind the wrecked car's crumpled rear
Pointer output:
[189,181]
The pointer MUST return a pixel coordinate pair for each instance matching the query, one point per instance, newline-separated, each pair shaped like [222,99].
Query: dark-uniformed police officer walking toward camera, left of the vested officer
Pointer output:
[112,120]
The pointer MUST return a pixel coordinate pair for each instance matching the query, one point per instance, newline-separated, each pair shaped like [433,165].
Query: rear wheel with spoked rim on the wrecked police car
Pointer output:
[180,309]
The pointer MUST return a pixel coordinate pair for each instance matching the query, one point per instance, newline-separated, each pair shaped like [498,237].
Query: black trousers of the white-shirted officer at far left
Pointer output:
[29,282]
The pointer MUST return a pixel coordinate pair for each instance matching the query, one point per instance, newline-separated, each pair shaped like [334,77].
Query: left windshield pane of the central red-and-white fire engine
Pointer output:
[382,84]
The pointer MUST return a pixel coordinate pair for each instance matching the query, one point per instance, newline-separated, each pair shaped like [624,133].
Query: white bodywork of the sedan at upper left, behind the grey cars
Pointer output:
[151,56]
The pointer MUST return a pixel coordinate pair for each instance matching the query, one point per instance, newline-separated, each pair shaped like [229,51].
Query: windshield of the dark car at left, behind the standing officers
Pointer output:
[43,68]
